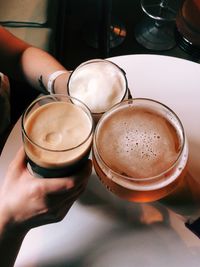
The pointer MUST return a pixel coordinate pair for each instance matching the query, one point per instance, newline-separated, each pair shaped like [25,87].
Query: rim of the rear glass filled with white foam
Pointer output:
[95,61]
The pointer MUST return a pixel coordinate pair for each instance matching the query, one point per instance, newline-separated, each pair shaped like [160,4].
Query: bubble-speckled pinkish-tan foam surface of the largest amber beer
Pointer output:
[137,136]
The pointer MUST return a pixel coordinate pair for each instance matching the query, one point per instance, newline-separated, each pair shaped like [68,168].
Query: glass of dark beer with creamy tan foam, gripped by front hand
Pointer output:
[57,133]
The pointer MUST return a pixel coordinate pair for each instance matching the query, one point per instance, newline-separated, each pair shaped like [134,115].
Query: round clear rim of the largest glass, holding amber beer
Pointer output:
[140,179]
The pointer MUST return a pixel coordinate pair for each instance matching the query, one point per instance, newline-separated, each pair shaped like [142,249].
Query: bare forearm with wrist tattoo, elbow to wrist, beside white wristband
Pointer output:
[37,65]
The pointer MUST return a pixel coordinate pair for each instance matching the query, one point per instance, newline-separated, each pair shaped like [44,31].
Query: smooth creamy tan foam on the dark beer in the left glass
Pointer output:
[59,134]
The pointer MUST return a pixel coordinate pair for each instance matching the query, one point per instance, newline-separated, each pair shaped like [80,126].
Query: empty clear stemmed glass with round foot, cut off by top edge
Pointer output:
[156,31]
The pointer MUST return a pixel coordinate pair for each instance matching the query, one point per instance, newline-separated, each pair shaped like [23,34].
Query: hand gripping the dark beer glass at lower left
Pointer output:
[27,201]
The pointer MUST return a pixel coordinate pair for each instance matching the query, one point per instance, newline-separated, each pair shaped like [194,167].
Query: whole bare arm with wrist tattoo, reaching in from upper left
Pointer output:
[23,61]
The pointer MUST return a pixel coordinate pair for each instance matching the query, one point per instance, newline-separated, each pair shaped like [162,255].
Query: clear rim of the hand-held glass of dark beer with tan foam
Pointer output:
[52,96]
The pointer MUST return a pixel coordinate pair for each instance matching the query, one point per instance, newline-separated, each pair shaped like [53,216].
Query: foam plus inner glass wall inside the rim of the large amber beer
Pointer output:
[138,142]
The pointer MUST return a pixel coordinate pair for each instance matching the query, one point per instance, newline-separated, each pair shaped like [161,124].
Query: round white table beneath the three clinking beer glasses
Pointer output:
[103,231]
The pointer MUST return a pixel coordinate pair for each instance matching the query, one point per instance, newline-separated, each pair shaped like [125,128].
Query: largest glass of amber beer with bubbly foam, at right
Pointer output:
[139,150]
